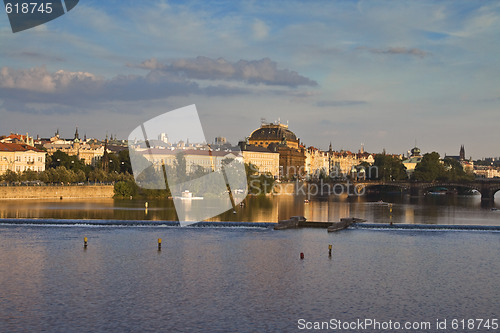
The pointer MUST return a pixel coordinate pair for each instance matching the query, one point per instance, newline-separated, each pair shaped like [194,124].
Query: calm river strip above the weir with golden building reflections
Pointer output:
[378,209]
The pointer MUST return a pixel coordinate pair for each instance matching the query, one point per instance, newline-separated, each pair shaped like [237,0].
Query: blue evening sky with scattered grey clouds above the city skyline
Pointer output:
[387,74]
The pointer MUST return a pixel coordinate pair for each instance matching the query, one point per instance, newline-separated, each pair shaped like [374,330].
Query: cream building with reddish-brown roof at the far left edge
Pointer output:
[21,157]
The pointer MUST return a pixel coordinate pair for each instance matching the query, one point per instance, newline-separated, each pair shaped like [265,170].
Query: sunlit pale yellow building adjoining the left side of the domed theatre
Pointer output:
[265,160]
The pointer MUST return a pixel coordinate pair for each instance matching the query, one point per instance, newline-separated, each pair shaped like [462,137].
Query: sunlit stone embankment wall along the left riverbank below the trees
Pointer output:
[56,192]
